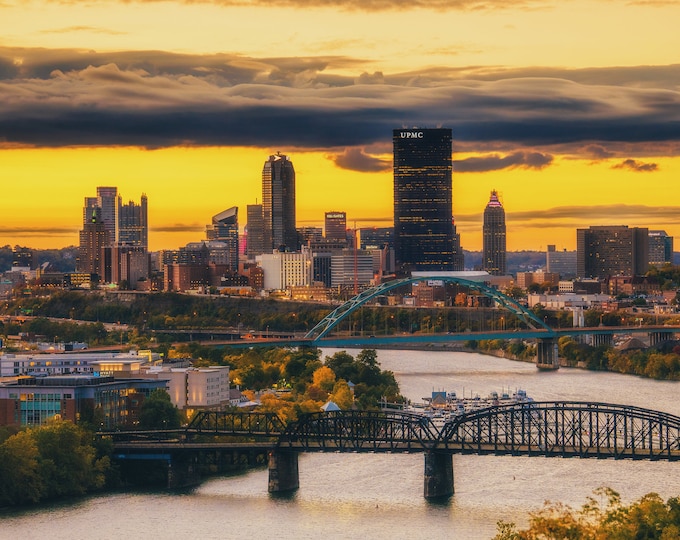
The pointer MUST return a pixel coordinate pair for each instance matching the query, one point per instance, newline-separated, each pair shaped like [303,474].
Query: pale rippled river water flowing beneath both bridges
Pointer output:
[380,496]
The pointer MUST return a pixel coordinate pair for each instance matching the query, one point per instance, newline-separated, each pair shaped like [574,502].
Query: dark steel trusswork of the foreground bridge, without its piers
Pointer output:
[548,429]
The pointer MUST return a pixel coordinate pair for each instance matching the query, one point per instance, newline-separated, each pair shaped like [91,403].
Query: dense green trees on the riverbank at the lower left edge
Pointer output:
[56,460]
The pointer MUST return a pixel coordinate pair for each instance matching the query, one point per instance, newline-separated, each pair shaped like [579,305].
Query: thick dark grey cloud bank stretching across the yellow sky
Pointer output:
[157,99]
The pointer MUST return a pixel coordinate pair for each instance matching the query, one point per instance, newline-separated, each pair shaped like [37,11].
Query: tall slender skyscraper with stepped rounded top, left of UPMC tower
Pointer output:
[278,203]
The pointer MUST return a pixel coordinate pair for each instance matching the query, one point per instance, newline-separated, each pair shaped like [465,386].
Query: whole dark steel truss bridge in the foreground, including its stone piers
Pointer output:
[541,429]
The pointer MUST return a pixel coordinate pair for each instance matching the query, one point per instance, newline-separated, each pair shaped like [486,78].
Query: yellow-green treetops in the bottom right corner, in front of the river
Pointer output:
[648,518]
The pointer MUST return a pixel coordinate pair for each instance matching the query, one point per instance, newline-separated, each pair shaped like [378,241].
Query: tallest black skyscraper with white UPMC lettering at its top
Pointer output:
[424,234]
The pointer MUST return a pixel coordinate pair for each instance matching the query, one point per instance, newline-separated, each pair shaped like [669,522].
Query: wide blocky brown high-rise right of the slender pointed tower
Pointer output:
[603,251]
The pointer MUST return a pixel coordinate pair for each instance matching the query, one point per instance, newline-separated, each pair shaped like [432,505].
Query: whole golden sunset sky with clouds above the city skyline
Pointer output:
[570,109]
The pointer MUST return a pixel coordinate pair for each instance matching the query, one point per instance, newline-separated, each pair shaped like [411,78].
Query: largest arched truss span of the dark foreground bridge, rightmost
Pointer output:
[566,429]
